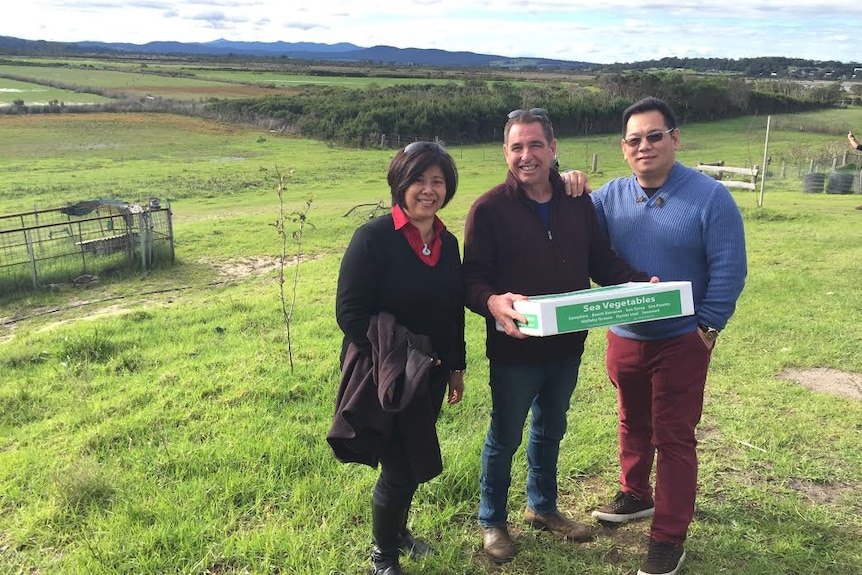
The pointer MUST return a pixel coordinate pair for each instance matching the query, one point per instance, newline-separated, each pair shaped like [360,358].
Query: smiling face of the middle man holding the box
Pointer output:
[530,156]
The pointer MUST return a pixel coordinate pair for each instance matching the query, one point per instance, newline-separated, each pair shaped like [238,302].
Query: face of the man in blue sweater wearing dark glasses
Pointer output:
[651,162]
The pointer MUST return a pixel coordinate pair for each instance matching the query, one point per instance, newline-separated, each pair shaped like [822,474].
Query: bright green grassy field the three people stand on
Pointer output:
[152,424]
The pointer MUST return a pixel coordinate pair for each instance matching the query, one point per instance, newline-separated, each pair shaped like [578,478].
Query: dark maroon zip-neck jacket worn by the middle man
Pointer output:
[508,248]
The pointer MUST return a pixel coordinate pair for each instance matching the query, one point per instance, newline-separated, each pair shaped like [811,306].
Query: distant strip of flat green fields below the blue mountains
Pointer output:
[182,80]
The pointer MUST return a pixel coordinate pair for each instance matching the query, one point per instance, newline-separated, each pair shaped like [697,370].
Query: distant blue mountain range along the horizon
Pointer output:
[342,52]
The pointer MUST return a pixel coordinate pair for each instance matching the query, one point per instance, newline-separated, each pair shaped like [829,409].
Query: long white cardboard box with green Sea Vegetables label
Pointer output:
[631,302]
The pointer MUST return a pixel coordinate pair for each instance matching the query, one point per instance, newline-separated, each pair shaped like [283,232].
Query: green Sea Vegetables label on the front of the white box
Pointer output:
[630,309]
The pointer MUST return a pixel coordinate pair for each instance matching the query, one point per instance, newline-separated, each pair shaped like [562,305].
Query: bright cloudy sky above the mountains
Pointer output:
[603,31]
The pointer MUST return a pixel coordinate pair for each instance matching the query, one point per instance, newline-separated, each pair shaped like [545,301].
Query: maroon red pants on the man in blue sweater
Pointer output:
[660,388]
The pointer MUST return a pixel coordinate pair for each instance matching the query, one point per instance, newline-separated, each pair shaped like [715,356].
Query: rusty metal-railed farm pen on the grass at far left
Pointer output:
[89,238]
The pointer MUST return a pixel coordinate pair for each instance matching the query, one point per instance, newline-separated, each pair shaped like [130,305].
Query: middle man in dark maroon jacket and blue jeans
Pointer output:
[522,238]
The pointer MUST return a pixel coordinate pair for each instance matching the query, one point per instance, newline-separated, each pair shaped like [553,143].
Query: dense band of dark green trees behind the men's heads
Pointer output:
[476,111]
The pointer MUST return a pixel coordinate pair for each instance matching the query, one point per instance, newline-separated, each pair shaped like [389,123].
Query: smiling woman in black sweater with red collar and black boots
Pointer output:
[407,265]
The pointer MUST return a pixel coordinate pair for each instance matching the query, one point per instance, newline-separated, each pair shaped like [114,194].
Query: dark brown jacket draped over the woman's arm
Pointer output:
[385,392]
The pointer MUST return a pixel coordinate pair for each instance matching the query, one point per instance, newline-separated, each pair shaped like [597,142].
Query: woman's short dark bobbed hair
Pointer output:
[412,161]
